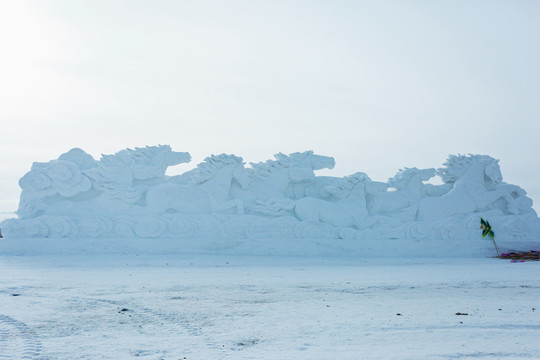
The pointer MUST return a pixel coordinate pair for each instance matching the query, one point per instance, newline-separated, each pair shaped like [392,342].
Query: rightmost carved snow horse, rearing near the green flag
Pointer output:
[476,187]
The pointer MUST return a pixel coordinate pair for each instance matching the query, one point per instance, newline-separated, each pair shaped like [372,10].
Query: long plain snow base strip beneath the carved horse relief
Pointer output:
[260,247]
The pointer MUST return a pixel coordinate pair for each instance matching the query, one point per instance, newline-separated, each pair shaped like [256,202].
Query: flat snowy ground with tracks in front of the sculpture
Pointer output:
[226,307]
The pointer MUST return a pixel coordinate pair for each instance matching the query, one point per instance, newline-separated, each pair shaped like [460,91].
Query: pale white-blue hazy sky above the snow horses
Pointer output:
[379,85]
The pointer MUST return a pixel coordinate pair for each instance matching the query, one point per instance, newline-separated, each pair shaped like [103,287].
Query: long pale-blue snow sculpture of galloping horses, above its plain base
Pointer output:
[128,195]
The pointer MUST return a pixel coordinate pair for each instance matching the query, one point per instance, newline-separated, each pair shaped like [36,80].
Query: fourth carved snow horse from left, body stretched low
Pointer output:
[349,210]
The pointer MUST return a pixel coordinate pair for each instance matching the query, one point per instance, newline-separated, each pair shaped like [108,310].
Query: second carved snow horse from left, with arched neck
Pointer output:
[209,191]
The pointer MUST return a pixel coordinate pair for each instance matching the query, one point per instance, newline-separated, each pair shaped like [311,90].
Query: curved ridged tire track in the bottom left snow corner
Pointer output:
[17,340]
